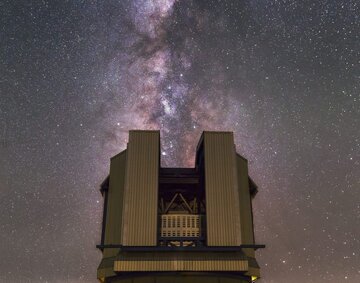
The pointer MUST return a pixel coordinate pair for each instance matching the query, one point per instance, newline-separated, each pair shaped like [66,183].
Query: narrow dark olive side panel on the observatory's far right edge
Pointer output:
[247,234]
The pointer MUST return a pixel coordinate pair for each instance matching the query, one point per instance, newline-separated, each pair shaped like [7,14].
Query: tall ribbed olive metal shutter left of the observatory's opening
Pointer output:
[141,189]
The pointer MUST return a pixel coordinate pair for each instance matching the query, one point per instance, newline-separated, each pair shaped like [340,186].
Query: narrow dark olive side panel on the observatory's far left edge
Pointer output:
[115,203]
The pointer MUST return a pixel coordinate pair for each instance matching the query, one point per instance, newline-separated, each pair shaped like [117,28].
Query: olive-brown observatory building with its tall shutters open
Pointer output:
[172,225]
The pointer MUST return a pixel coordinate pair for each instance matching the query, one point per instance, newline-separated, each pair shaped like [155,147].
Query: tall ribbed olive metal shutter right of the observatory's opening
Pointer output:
[221,190]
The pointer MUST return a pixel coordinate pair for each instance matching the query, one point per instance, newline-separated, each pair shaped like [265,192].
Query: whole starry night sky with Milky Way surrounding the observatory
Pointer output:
[283,75]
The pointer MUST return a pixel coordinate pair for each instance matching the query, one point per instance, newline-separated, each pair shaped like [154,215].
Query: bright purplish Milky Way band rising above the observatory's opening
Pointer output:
[171,79]
